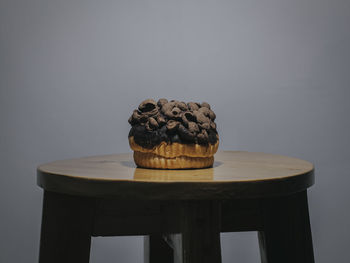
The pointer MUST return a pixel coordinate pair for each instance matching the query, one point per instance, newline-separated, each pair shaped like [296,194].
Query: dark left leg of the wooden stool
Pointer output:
[66,228]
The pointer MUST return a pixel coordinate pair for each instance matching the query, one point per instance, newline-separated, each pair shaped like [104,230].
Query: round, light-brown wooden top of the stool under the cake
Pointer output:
[235,174]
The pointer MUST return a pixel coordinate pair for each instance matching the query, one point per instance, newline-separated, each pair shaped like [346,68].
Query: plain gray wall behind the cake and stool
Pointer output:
[277,73]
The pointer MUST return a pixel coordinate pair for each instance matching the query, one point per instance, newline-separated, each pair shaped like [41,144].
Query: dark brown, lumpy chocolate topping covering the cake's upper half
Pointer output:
[172,121]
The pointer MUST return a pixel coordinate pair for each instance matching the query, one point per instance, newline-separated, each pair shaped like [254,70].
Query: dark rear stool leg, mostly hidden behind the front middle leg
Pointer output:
[157,250]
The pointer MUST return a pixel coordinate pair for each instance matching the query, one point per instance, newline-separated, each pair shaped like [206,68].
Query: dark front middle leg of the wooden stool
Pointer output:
[201,224]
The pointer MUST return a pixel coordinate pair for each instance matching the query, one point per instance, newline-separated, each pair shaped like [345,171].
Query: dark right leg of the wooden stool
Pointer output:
[287,233]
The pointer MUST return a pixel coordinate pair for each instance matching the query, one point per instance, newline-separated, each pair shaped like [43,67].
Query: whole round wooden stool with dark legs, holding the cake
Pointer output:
[108,196]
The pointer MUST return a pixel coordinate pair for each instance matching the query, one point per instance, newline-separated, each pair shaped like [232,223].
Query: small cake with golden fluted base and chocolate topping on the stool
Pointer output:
[173,134]
